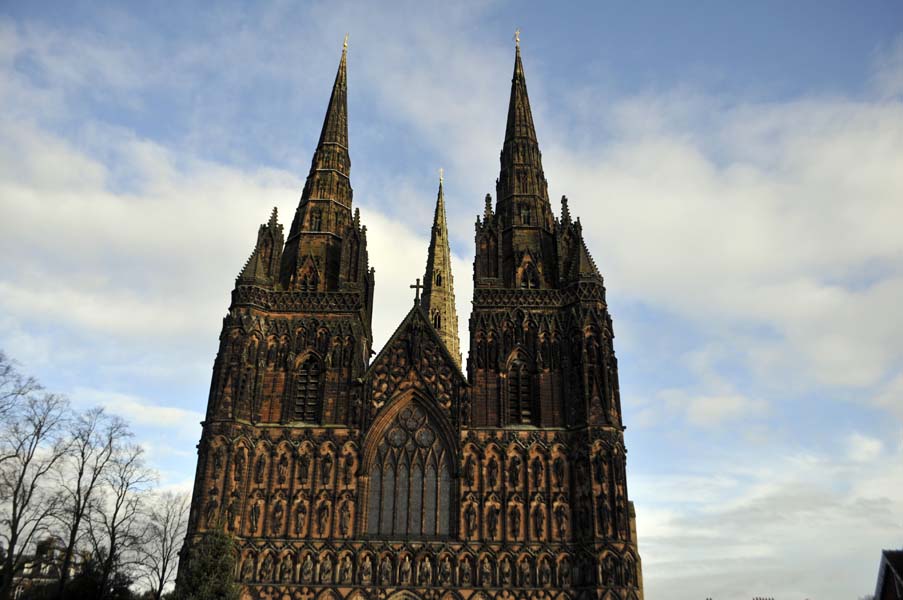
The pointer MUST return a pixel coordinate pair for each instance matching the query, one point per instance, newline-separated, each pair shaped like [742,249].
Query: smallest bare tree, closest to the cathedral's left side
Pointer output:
[158,556]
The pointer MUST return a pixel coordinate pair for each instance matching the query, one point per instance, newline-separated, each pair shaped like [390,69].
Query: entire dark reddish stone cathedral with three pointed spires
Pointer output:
[346,474]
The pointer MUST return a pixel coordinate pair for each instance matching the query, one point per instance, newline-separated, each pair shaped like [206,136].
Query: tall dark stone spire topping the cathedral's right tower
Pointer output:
[521,191]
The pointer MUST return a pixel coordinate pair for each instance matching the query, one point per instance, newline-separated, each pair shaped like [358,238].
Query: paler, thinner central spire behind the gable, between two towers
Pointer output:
[438,283]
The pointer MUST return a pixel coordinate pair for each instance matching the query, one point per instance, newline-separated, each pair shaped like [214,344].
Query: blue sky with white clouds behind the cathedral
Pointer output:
[738,168]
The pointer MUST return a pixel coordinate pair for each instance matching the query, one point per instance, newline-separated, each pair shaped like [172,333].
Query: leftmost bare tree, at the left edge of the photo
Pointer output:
[32,443]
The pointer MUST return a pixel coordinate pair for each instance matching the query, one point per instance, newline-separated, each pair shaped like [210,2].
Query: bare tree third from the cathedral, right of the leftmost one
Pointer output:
[95,438]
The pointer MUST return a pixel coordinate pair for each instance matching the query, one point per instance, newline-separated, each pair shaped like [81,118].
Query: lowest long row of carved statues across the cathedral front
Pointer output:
[426,571]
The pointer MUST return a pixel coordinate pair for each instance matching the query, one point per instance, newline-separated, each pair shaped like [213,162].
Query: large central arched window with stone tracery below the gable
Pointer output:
[410,480]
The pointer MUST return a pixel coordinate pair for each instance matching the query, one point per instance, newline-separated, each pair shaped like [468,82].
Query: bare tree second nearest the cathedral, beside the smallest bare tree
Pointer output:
[116,529]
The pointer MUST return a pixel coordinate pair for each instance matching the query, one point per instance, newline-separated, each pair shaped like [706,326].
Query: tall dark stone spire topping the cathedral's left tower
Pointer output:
[325,206]
